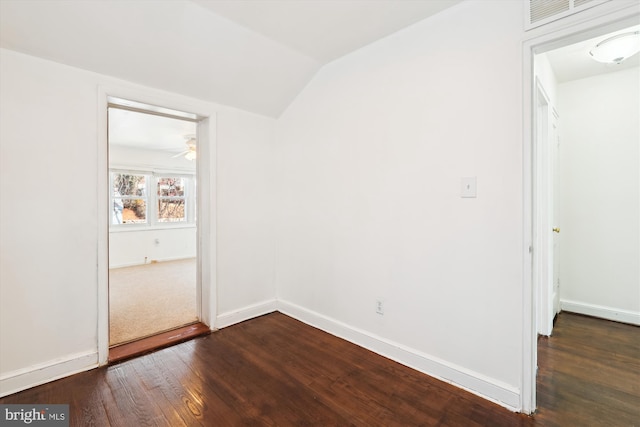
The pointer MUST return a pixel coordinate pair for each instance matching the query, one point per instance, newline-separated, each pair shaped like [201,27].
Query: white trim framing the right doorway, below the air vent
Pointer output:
[607,18]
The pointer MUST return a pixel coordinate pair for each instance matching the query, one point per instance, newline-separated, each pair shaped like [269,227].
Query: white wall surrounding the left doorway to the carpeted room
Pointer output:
[48,216]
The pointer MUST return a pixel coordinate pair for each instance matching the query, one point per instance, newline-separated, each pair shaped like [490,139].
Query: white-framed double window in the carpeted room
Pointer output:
[132,202]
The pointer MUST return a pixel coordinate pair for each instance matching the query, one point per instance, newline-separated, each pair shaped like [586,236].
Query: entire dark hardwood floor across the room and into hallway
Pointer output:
[274,370]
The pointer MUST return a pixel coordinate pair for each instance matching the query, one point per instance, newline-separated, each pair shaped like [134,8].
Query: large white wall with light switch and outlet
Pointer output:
[370,158]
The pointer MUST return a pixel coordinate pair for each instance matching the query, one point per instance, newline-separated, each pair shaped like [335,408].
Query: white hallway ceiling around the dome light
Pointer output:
[573,62]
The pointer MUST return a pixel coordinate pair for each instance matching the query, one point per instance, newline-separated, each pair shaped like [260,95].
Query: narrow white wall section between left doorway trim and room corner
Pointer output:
[245,216]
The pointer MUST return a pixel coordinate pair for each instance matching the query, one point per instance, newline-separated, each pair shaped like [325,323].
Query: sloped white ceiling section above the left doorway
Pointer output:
[174,45]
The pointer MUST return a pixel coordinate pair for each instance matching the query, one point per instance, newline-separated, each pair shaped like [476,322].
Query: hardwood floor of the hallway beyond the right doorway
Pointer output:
[589,373]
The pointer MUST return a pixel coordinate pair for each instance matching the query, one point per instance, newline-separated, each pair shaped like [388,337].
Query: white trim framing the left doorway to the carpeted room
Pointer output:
[206,213]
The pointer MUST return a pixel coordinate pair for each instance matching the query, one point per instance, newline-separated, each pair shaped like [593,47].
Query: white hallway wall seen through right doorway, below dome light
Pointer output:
[600,184]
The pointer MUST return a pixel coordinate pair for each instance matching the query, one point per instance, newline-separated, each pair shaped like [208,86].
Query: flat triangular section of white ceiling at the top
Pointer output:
[323,29]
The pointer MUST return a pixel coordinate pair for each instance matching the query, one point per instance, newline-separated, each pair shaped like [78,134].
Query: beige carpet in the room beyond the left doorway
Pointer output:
[151,298]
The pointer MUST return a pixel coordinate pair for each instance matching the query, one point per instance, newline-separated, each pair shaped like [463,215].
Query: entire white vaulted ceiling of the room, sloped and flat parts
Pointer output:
[253,55]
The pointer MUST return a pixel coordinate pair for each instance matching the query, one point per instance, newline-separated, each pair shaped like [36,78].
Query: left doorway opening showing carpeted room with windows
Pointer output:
[153,281]
